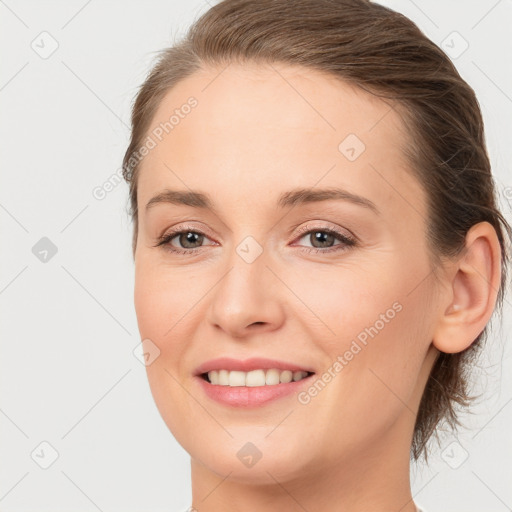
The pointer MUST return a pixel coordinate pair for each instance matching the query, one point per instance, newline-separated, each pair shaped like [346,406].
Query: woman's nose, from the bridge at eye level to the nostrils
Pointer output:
[247,299]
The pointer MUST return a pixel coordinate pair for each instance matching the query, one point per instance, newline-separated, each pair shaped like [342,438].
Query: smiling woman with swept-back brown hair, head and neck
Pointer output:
[318,250]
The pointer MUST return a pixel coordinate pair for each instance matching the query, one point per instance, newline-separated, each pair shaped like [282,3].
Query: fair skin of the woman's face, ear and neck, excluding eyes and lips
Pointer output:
[259,131]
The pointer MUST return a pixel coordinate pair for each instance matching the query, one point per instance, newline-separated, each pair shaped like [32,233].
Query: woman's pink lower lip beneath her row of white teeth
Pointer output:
[245,396]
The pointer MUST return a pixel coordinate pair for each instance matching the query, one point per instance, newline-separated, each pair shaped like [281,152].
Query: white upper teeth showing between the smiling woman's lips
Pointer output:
[254,377]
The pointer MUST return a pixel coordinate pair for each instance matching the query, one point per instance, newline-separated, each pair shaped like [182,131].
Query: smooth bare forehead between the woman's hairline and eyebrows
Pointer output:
[254,129]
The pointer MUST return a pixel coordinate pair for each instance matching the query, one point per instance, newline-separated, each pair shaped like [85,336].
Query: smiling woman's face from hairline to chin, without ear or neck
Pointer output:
[283,263]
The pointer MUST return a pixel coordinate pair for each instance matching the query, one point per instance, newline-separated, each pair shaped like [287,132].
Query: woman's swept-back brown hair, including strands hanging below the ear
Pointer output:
[386,54]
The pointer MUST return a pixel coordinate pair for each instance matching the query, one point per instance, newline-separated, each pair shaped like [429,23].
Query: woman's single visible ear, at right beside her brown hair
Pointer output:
[472,288]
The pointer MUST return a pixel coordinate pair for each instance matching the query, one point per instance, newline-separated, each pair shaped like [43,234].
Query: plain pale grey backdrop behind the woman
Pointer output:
[68,373]
